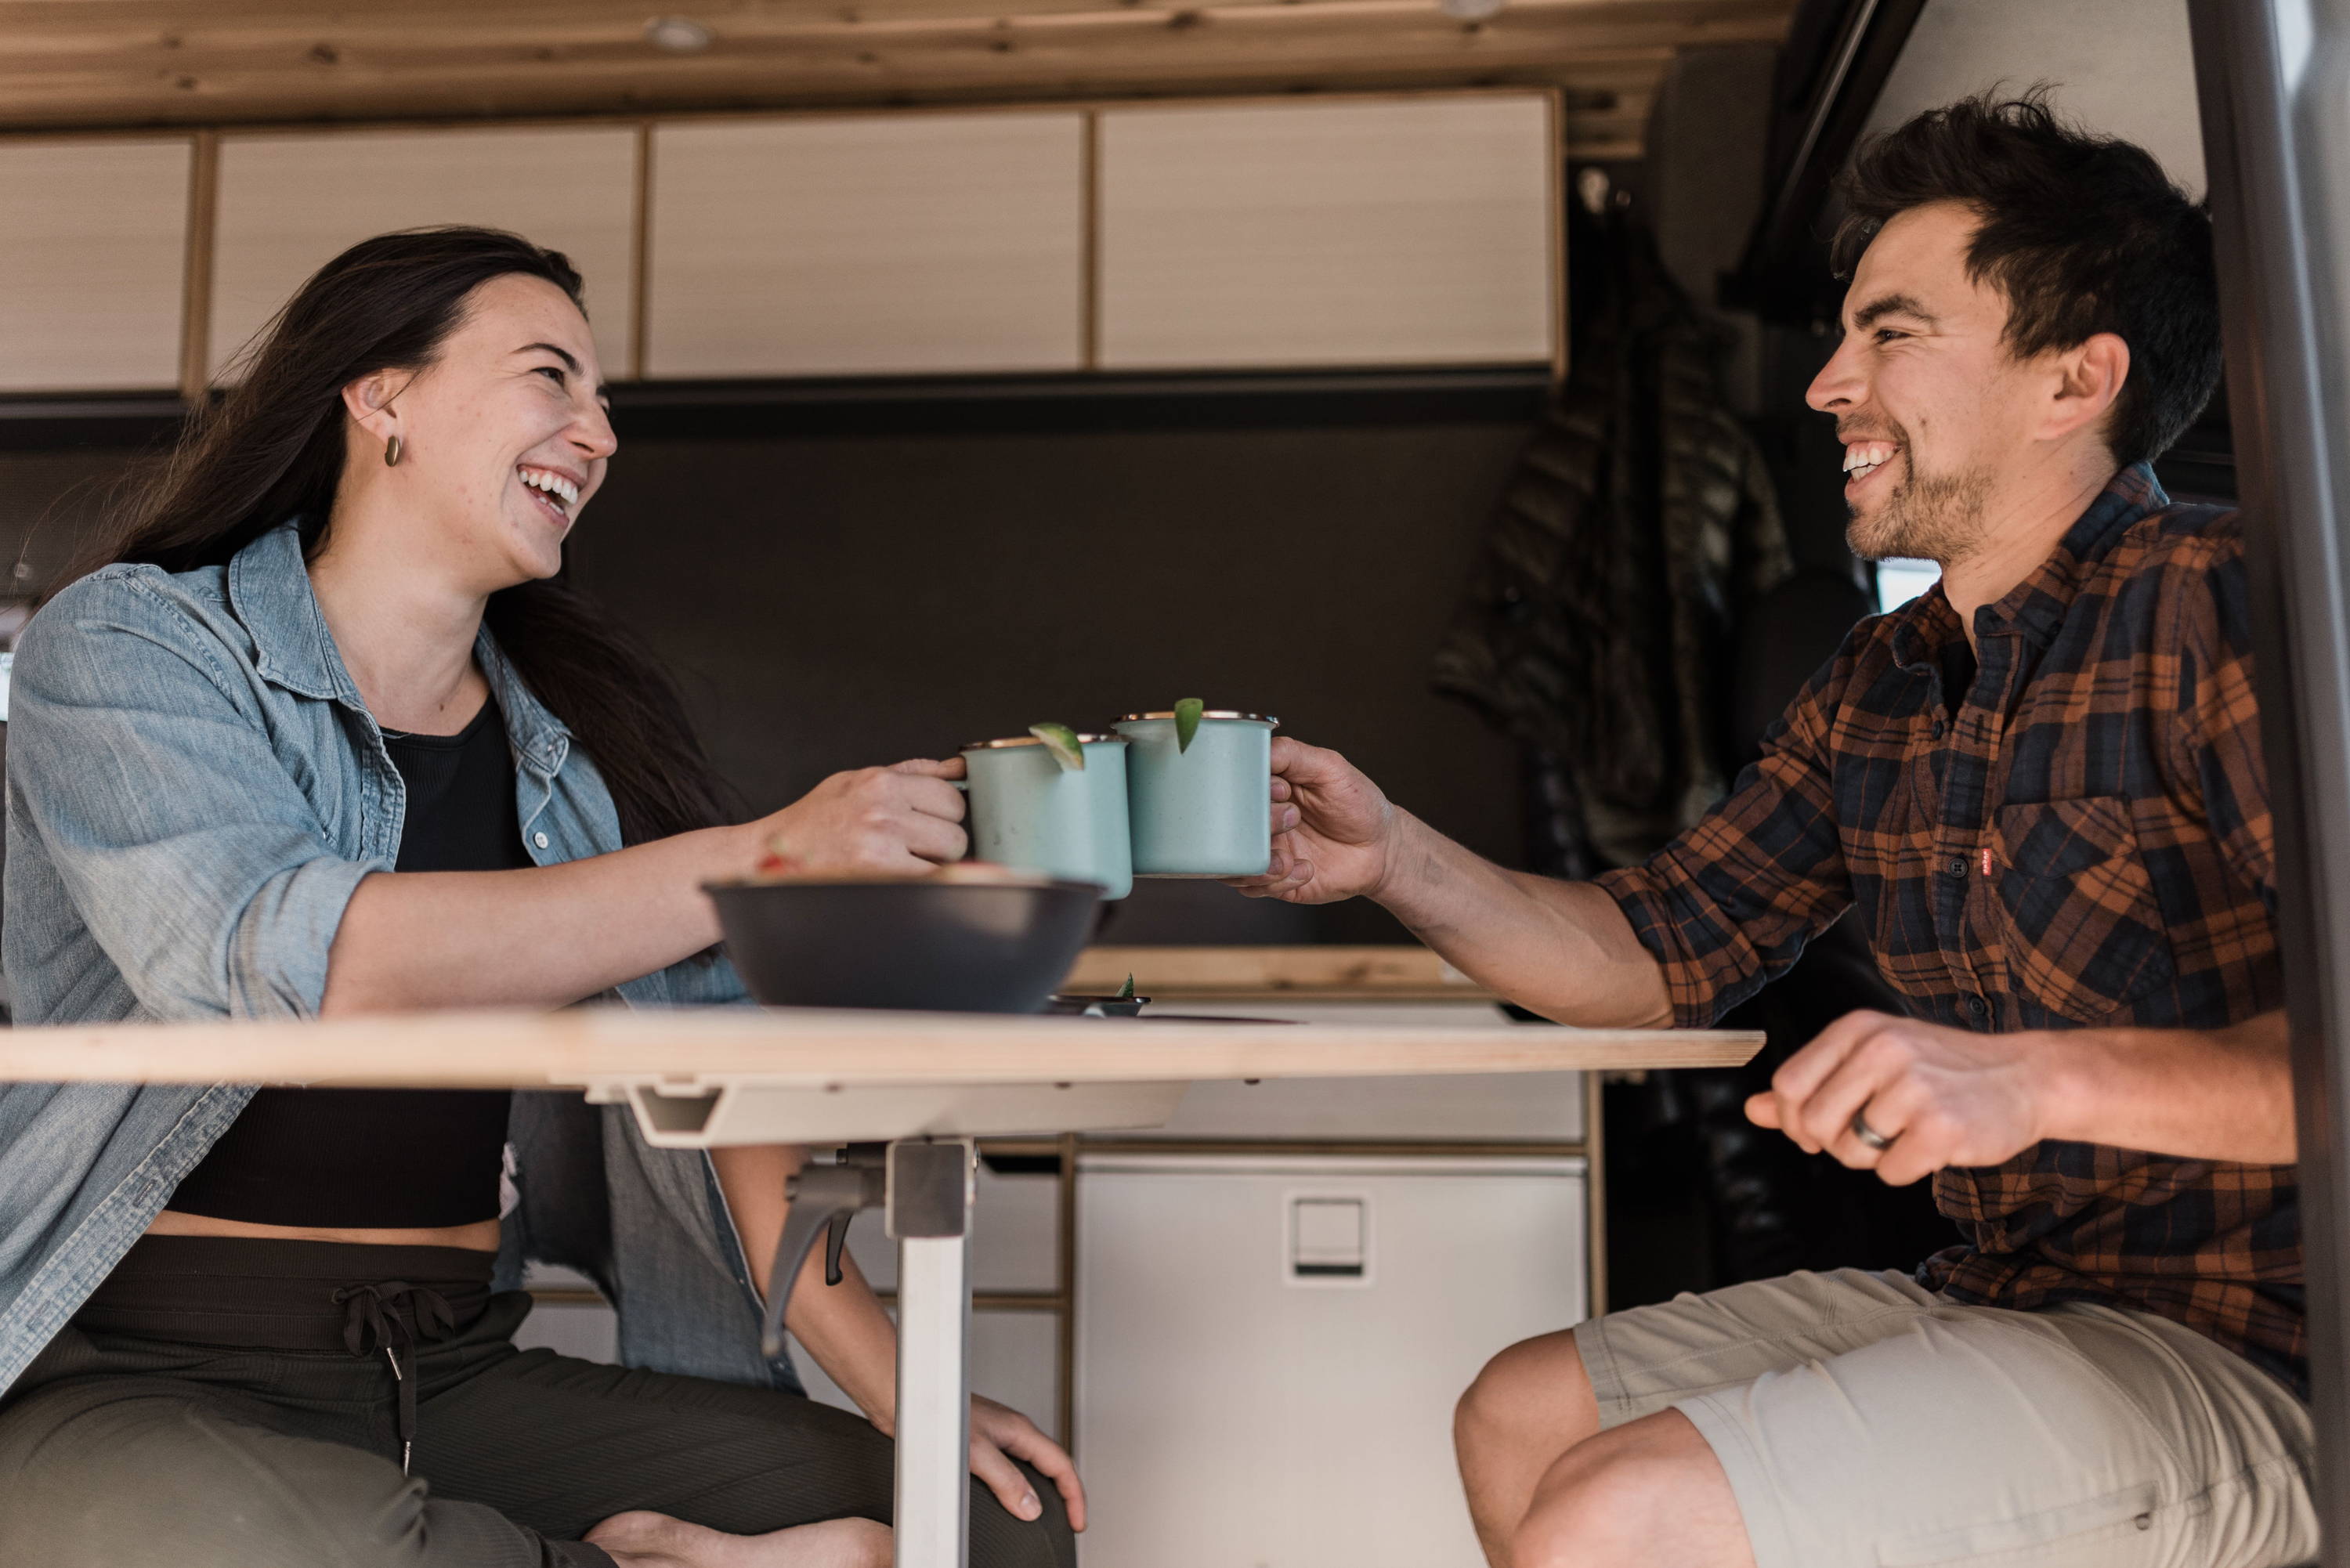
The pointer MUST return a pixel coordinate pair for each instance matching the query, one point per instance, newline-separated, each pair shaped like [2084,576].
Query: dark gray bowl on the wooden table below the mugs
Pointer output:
[934,946]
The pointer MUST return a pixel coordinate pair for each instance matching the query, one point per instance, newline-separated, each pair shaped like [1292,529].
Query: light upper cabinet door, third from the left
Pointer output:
[868,246]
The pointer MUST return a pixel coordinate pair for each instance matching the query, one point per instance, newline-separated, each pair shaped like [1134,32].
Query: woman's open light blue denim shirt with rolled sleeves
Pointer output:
[194,793]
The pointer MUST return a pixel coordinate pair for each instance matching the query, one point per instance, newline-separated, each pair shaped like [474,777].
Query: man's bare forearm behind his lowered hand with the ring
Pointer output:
[2201,1094]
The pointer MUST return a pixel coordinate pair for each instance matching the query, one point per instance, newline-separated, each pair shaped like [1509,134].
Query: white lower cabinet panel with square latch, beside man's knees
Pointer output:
[1247,1395]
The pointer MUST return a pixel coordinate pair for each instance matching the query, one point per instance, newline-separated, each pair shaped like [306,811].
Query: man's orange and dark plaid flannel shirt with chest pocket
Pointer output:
[2081,838]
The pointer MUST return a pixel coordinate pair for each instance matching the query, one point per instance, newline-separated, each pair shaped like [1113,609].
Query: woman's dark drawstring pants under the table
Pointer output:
[126,1452]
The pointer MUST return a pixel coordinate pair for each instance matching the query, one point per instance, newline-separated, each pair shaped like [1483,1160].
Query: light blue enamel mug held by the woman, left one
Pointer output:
[1030,812]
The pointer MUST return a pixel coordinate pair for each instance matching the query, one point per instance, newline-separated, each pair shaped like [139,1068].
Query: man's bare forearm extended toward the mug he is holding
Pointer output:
[1559,949]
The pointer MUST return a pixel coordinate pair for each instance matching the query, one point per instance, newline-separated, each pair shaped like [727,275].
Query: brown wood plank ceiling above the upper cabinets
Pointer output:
[241,62]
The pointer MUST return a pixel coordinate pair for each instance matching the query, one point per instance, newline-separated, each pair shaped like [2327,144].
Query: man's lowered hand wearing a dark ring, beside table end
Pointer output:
[1942,1097]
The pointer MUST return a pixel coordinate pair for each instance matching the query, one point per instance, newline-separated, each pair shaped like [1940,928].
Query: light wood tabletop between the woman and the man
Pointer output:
[817,1050]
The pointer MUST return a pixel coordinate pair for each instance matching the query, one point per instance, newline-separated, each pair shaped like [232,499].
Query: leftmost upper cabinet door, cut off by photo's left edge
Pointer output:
[93,253]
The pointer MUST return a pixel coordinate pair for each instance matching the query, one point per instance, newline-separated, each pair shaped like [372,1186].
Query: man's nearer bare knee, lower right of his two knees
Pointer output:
[1644,1496]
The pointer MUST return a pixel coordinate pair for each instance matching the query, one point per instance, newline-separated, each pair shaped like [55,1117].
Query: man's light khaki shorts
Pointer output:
[1869,1423]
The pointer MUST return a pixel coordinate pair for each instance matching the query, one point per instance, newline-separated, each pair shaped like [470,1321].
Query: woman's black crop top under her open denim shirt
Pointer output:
[387,1158]
